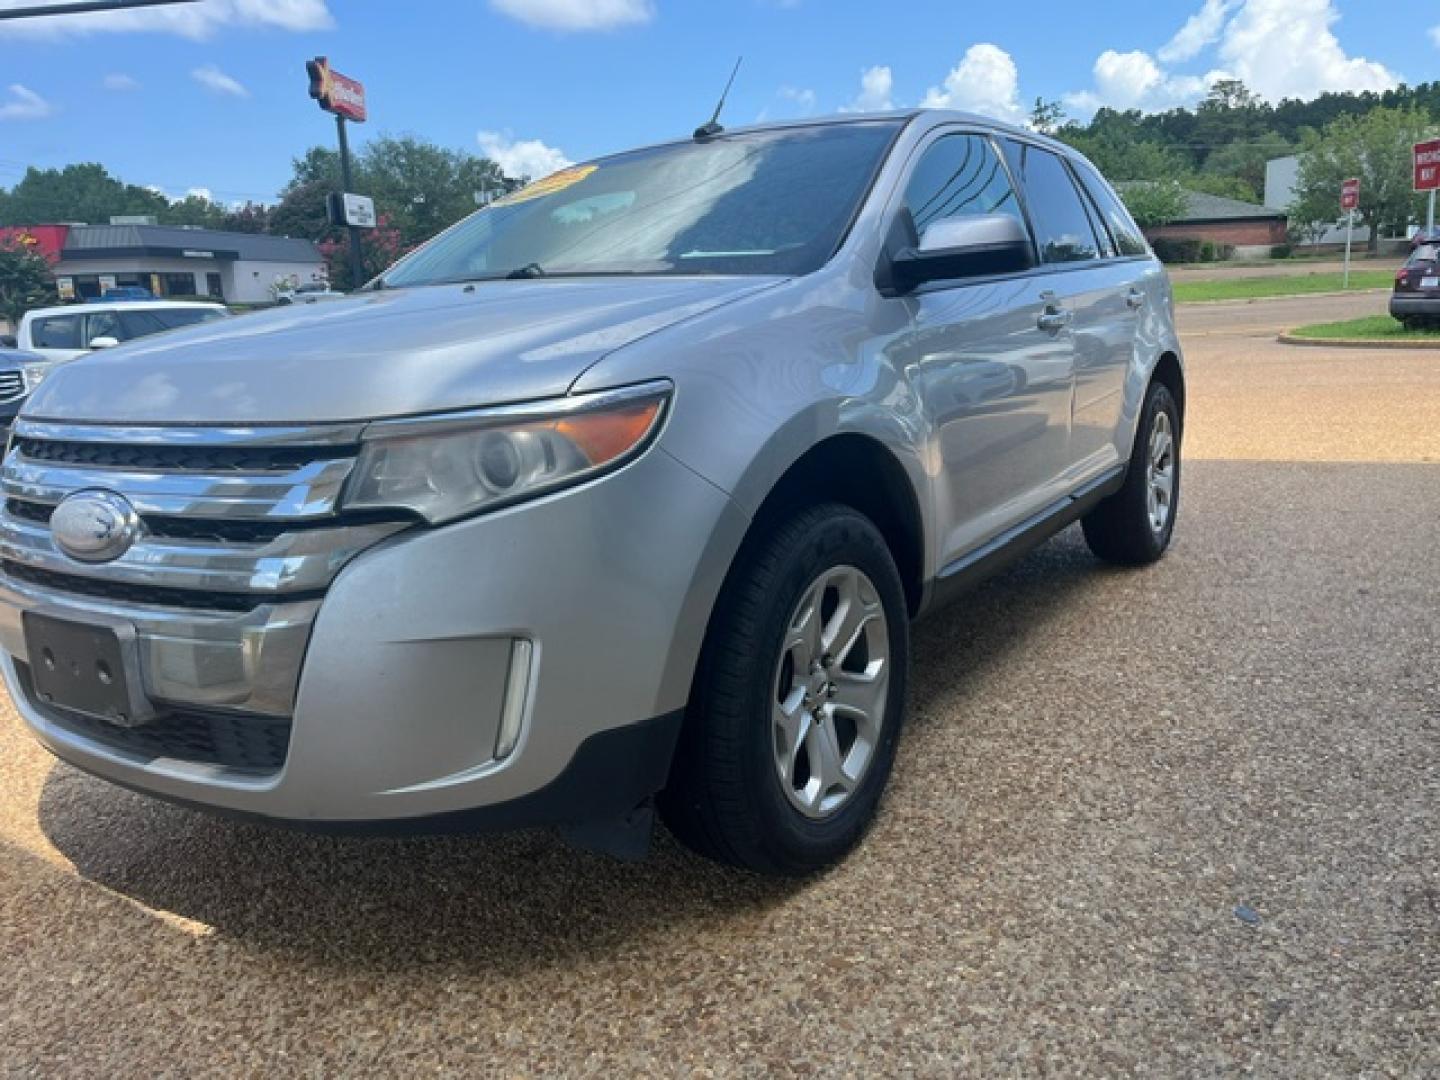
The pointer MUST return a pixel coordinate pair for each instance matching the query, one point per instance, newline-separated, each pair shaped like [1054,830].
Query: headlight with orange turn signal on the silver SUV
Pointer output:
[449,467]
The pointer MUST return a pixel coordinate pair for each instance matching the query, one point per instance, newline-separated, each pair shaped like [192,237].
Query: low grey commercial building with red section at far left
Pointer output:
[238,269]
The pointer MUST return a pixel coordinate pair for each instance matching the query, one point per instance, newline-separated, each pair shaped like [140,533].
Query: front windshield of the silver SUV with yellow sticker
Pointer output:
[774,202]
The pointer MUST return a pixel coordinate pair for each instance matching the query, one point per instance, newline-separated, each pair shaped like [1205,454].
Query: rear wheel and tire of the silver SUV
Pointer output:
[1122,529]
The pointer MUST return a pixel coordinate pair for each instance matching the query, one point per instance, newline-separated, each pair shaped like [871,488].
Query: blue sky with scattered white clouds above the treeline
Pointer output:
[212,97]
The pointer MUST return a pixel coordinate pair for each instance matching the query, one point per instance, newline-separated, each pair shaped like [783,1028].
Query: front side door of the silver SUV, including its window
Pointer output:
[991,361]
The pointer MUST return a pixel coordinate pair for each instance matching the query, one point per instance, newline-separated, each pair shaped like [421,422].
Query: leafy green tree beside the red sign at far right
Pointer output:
[1376,148]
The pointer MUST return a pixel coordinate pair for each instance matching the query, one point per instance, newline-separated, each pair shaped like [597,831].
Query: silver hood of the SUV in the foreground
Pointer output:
[392,354]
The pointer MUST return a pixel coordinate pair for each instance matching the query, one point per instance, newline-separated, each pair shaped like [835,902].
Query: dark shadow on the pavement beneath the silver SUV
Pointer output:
[505,902]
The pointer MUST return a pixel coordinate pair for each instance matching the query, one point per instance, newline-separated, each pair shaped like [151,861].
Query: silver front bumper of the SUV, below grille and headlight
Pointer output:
[408,669]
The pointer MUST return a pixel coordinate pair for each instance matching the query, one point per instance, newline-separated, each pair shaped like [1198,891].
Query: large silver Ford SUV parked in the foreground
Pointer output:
[621,493]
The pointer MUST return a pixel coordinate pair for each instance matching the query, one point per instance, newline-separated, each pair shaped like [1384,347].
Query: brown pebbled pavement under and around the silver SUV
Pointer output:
[1171,823]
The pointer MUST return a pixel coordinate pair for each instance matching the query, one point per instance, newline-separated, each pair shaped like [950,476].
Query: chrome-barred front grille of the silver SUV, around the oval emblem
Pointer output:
[243,535]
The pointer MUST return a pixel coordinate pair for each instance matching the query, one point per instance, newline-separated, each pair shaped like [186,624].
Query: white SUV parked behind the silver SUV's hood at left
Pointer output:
[66,333]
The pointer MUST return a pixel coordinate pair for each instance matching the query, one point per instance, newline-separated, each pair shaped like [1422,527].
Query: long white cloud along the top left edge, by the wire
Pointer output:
[189,21]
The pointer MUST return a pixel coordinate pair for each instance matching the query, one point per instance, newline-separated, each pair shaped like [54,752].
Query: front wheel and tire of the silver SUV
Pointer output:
[728,798]
